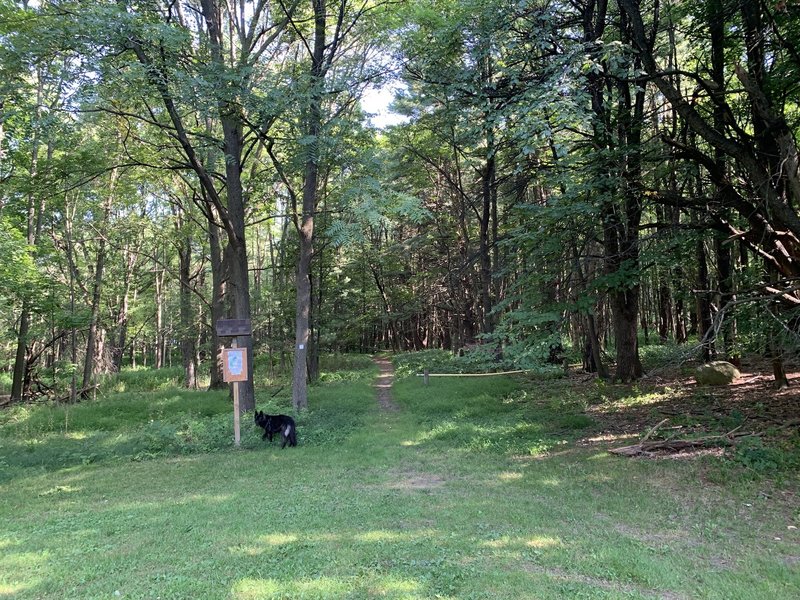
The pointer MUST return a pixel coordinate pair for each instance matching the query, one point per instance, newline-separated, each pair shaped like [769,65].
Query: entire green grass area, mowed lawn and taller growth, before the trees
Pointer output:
[475,488]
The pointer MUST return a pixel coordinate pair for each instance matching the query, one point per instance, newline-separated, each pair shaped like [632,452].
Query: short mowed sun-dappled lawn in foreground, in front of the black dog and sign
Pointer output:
[280,528]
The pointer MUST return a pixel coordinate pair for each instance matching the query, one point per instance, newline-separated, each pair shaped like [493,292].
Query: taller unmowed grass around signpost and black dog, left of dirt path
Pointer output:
[141,414]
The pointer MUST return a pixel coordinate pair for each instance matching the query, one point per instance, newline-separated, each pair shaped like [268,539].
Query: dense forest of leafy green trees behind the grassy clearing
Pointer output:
[569,180]
